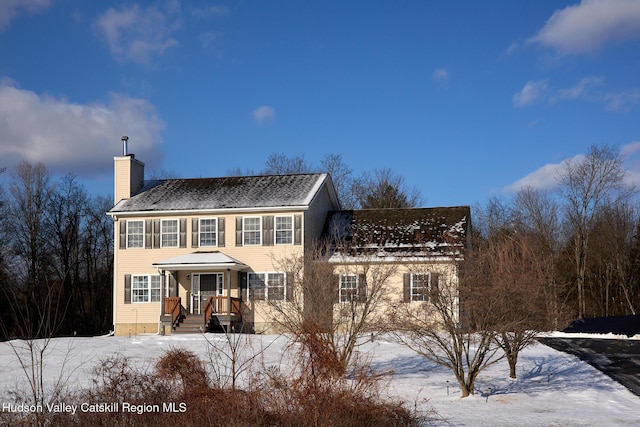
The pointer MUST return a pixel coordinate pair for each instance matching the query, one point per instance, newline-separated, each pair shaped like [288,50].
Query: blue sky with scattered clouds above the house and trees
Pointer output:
[464,99]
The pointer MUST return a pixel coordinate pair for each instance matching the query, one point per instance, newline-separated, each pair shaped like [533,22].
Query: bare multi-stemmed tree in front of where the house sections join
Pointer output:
[333,303]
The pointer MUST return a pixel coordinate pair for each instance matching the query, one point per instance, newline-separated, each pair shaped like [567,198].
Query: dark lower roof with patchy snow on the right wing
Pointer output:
[438,231]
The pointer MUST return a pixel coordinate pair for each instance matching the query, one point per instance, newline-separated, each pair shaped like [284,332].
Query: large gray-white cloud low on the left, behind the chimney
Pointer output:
[70,137]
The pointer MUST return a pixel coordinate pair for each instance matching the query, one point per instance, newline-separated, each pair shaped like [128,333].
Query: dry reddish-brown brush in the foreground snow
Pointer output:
[311,397]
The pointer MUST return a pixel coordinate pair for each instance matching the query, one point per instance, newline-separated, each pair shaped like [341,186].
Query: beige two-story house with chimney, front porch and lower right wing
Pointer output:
[190,250]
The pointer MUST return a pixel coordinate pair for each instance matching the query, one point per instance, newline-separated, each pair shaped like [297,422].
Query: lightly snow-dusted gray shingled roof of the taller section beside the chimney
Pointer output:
[224,193]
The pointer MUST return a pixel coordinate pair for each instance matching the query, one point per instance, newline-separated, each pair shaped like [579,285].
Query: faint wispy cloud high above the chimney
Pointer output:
[138,35]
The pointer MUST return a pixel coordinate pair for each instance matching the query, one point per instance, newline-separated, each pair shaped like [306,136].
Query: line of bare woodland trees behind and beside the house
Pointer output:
[568,254]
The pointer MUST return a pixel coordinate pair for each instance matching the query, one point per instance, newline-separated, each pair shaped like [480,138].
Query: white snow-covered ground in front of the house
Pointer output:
[552,388]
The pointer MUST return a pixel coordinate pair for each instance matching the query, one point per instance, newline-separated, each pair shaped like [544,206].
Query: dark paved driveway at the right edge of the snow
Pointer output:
[619,359]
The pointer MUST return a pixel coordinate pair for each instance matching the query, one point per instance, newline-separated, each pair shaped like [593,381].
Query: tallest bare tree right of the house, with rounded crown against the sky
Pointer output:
[587,184]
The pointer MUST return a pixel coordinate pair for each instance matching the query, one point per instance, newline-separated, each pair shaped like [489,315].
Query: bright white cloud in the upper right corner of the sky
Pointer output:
[589,25]
